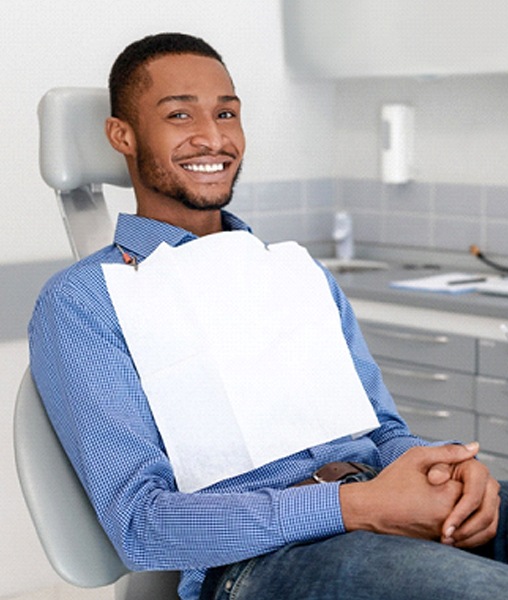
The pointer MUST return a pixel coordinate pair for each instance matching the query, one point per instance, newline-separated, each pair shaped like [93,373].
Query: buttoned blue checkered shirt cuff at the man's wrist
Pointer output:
[310,512]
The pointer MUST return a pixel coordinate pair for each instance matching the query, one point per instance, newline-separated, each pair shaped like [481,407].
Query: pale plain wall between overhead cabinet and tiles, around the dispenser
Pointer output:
[461,126]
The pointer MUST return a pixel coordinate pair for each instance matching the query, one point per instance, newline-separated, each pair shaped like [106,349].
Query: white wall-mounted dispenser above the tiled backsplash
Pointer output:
[397,141]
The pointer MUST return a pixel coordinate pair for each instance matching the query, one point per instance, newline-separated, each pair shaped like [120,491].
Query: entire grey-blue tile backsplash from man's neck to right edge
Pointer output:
[430,216]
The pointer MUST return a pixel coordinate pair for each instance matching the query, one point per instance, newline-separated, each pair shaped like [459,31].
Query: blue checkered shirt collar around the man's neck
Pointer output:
[141,236]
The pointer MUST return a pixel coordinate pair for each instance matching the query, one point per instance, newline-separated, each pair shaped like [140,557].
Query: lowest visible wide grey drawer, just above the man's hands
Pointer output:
[437,422]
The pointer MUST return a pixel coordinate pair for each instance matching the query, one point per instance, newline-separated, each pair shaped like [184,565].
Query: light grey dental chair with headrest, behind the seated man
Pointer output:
[76,160]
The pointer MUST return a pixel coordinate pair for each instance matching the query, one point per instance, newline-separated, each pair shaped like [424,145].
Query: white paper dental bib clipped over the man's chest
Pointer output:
[240,352]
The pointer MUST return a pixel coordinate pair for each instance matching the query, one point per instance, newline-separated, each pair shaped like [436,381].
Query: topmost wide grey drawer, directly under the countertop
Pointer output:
[420,346]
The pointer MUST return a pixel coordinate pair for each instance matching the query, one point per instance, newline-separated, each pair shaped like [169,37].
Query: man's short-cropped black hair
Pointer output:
[128,78]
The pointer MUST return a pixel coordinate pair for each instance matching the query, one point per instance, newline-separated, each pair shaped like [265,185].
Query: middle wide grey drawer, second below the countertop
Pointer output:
[429,384]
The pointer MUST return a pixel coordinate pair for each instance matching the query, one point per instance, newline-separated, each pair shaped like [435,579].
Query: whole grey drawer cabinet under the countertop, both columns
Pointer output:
[447,386]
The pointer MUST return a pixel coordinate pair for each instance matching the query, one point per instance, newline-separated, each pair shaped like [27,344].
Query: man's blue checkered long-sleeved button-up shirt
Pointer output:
[93,396]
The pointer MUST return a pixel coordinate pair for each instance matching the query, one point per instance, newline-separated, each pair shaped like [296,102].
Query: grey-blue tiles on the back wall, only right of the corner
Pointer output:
[436,216]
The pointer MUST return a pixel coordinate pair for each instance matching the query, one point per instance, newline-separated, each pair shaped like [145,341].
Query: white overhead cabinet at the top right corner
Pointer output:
[369,38]
